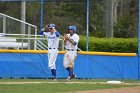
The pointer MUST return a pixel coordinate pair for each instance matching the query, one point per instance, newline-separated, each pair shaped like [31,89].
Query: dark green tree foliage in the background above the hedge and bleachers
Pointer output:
[73,12]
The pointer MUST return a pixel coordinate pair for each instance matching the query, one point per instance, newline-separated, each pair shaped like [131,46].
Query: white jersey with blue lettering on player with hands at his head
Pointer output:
[53,39]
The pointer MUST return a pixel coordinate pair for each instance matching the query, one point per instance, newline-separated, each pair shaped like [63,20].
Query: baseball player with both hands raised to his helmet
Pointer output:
[53,42]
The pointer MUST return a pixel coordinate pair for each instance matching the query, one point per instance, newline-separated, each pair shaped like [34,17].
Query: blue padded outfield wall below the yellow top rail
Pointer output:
[35,65]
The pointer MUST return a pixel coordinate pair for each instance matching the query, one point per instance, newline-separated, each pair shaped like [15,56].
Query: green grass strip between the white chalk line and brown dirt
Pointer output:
[53,88]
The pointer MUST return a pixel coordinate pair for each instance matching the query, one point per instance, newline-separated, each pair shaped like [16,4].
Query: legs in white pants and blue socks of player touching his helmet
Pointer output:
[52,66]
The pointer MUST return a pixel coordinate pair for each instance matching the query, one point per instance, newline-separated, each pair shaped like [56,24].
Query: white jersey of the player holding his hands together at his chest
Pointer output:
[75,38]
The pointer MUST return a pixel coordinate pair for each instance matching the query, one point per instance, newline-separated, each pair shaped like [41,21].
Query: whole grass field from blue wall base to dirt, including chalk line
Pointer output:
[62,86]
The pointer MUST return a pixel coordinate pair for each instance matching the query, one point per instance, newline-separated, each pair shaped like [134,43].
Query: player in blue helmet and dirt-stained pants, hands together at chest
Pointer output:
[71,42]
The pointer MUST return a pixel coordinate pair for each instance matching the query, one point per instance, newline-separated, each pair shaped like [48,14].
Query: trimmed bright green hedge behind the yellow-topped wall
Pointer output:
[128,45]
